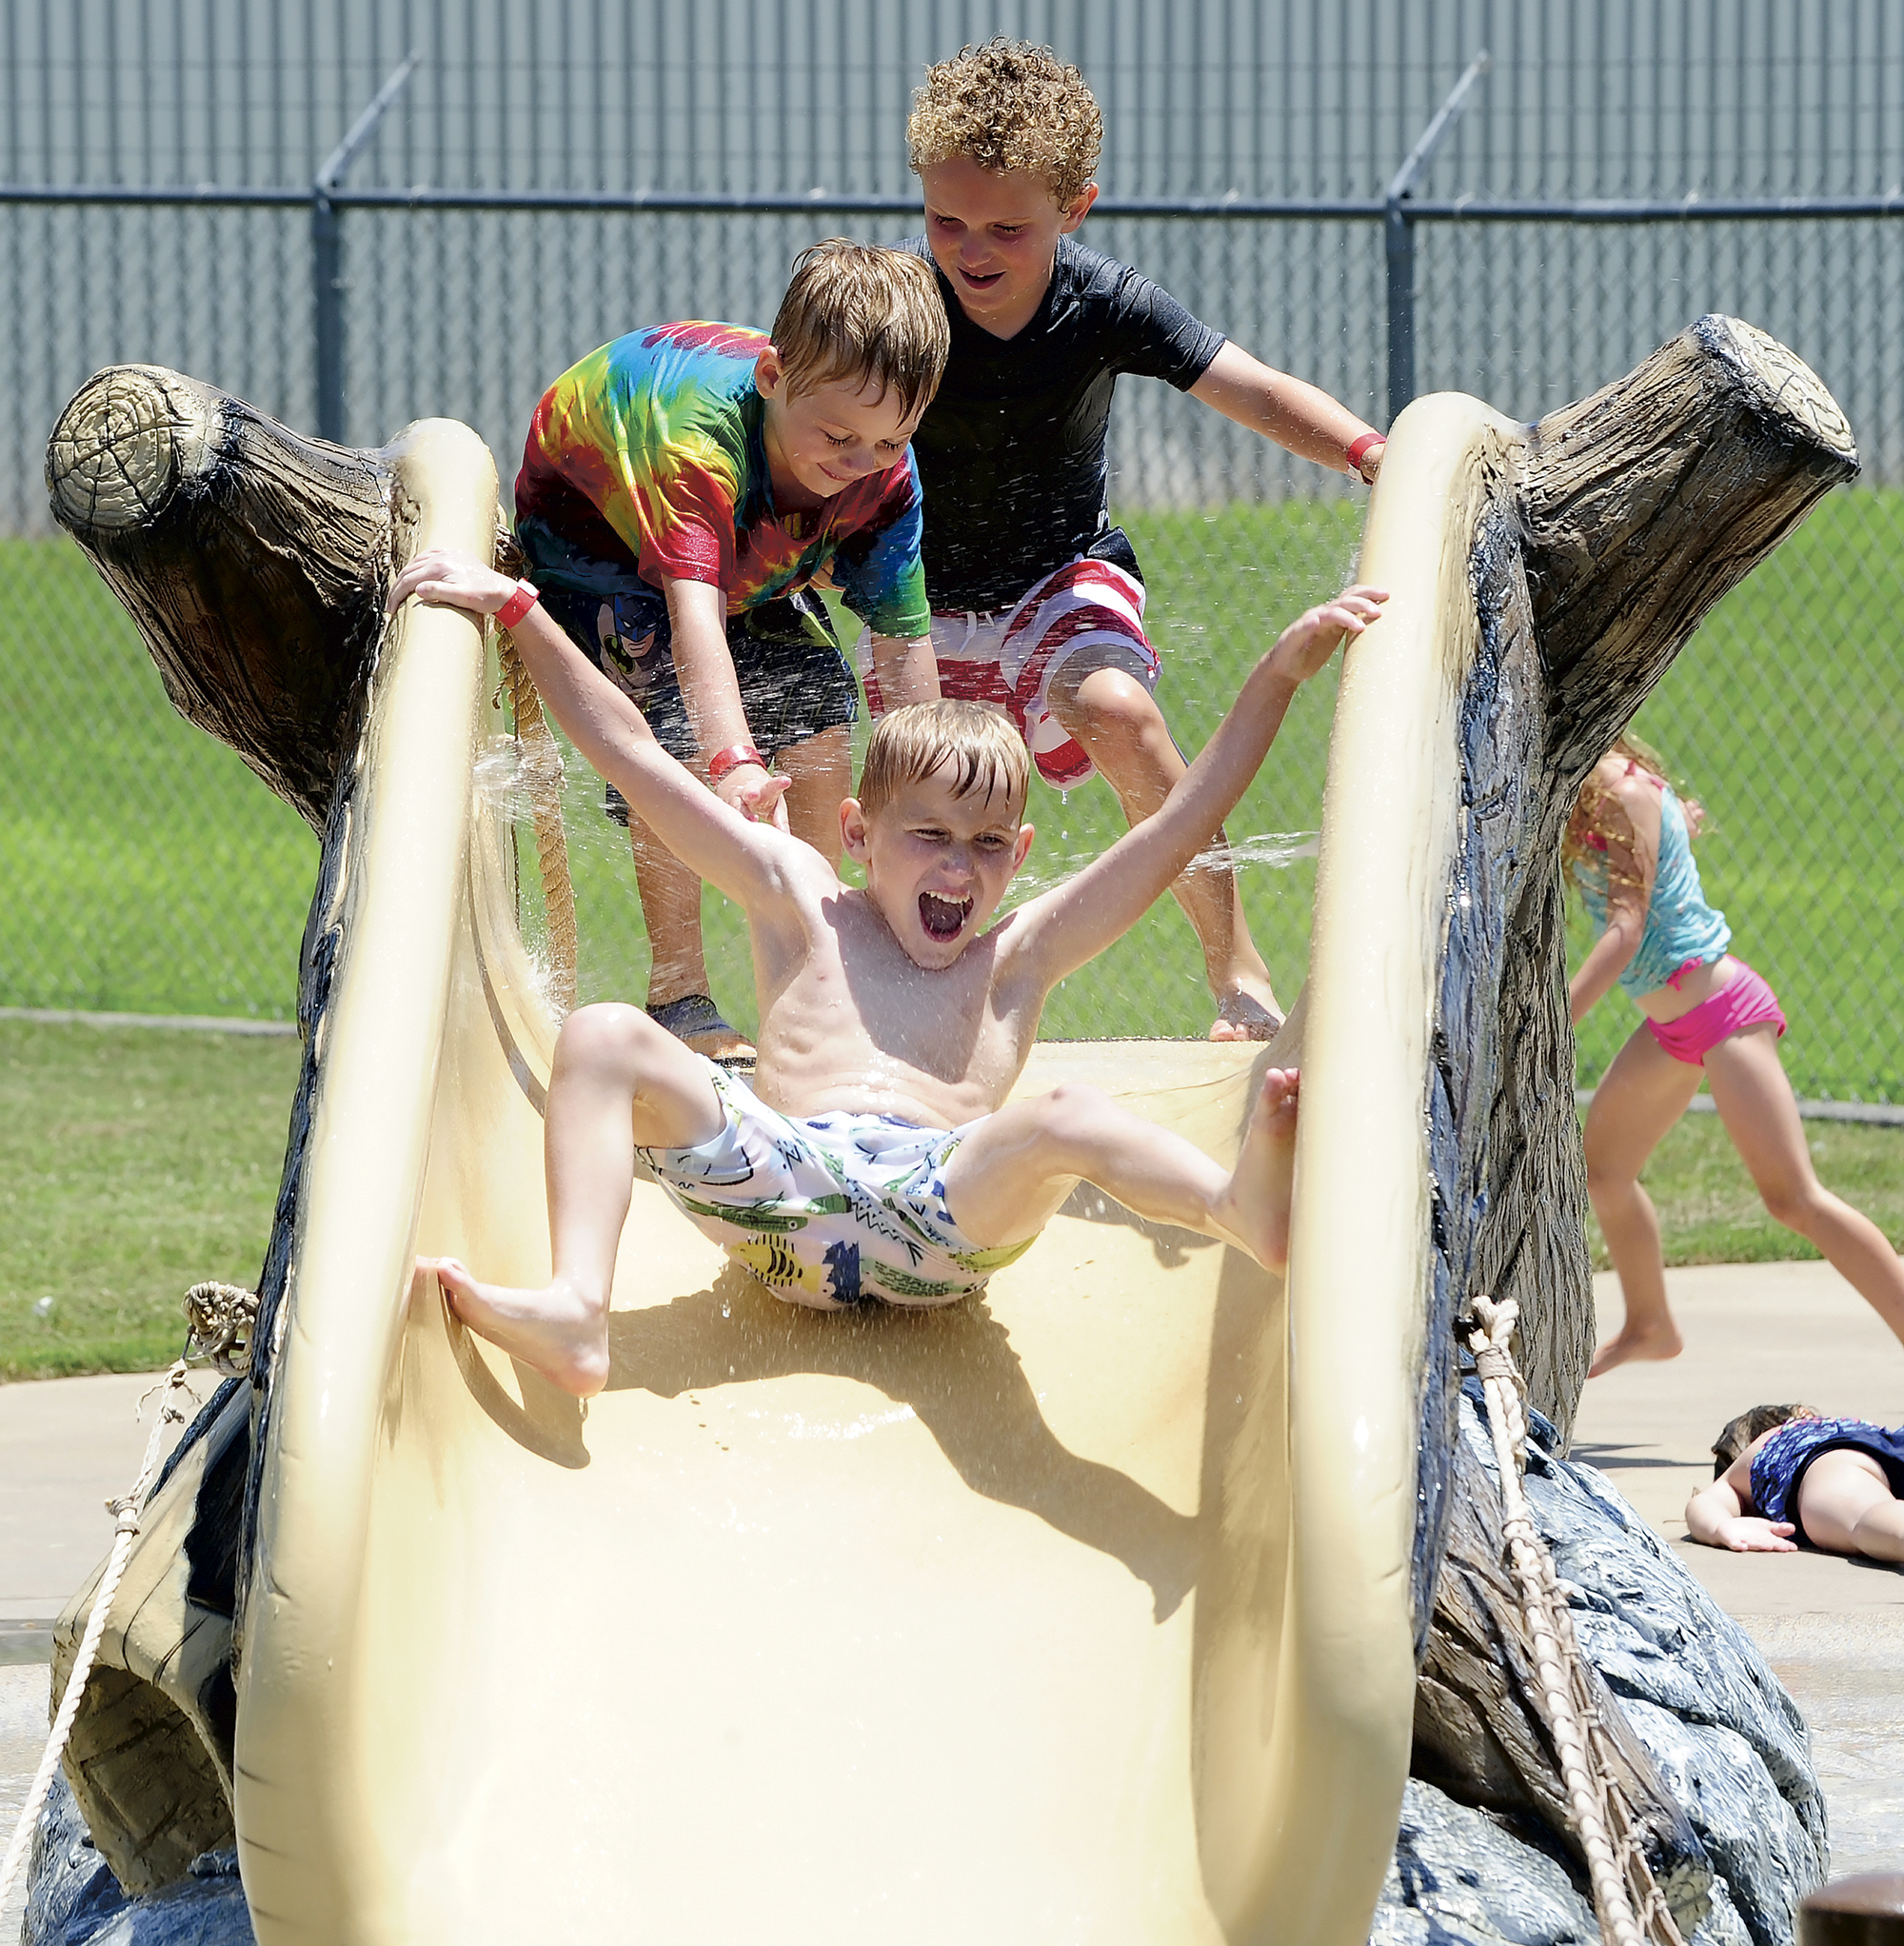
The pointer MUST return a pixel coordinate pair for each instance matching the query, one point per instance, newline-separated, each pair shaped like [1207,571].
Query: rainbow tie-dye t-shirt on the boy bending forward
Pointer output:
[651,452]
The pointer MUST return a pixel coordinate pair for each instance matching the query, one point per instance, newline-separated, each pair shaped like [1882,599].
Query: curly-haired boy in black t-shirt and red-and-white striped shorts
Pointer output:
[1037,600]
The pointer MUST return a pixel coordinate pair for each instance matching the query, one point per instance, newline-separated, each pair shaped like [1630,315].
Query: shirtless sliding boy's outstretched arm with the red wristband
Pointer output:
[752,863]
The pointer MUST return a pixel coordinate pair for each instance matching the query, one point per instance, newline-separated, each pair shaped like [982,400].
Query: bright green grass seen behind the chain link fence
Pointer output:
[151,873]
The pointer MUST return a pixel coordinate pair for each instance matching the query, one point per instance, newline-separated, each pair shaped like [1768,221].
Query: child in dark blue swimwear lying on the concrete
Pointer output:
[1788,1478]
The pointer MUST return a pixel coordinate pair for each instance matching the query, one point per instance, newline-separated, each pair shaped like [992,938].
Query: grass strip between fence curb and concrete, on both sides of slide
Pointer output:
[137,1163]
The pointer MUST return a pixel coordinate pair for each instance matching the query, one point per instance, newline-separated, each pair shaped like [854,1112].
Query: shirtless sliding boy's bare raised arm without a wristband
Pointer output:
[1078,919]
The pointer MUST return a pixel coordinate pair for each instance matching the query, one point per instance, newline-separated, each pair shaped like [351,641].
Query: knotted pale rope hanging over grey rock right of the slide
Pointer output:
[1625,1892]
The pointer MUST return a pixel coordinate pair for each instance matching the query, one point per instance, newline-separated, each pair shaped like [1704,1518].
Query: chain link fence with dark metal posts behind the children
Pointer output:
[147,869]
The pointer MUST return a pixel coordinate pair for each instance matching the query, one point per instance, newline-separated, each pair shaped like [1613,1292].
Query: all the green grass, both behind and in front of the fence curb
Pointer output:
[149,873]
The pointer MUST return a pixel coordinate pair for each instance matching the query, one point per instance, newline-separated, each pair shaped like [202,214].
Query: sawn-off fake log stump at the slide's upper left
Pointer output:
[252,559]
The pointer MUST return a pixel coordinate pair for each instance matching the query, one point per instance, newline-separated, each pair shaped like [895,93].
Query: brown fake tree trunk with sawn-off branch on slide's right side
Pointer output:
[1634,513]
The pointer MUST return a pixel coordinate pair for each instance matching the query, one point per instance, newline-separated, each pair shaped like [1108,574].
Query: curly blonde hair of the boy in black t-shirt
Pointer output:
[1009,106]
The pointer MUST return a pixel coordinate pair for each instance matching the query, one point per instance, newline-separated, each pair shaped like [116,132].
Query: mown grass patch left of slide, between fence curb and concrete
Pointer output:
[133,1165]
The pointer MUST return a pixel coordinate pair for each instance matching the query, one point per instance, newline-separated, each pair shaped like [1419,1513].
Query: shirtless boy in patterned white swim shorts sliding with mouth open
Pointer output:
[873,1159]
